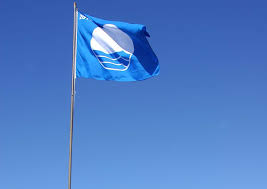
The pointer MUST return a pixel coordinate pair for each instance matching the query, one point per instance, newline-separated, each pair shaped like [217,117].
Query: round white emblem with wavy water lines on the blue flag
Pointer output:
[112,47]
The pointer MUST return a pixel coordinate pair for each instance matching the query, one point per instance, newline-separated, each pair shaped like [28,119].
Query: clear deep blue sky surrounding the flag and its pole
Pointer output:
[201,124]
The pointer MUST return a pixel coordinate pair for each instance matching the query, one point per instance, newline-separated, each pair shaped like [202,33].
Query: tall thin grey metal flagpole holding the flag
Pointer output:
[72,89]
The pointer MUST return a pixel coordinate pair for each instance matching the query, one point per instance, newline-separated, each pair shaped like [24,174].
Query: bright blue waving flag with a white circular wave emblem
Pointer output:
[111,50]
